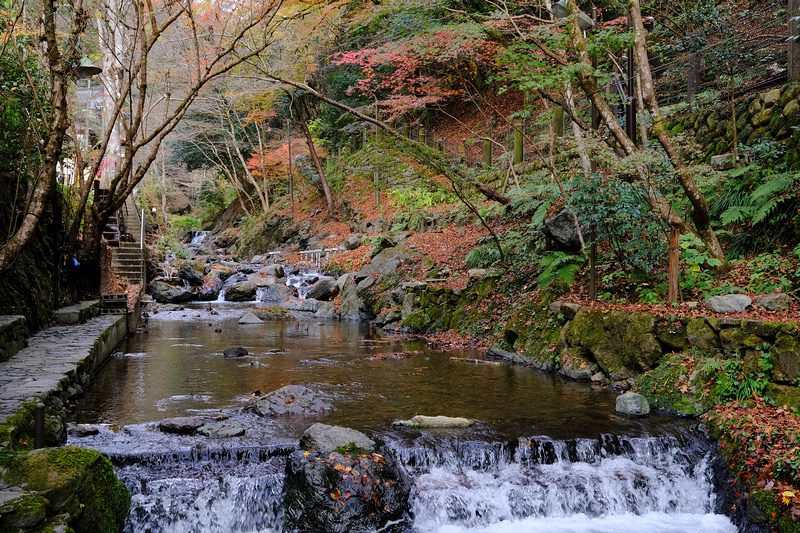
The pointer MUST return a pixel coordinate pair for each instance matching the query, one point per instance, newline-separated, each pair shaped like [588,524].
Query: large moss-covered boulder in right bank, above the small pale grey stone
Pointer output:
[623,344]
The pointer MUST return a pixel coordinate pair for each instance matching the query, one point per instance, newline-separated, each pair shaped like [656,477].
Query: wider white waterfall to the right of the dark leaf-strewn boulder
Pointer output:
[612,484]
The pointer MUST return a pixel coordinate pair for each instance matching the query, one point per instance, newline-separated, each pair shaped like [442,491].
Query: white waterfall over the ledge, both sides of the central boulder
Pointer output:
[612,484]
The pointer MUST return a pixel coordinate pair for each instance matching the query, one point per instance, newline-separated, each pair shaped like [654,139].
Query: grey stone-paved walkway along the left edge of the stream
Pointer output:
[50,361]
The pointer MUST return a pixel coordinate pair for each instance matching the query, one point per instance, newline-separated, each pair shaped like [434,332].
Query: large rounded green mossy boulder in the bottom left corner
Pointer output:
[77,482]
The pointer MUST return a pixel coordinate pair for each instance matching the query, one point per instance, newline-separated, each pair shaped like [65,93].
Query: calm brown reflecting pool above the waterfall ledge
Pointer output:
[177,369]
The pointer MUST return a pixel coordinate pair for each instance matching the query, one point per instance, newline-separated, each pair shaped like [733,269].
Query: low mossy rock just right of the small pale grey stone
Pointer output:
[674,387]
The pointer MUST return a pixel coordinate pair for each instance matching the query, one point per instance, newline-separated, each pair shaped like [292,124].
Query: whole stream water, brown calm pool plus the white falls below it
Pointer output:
[546,454]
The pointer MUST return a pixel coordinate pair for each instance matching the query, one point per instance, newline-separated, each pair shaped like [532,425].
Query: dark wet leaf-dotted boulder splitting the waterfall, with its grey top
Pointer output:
[340,492]
